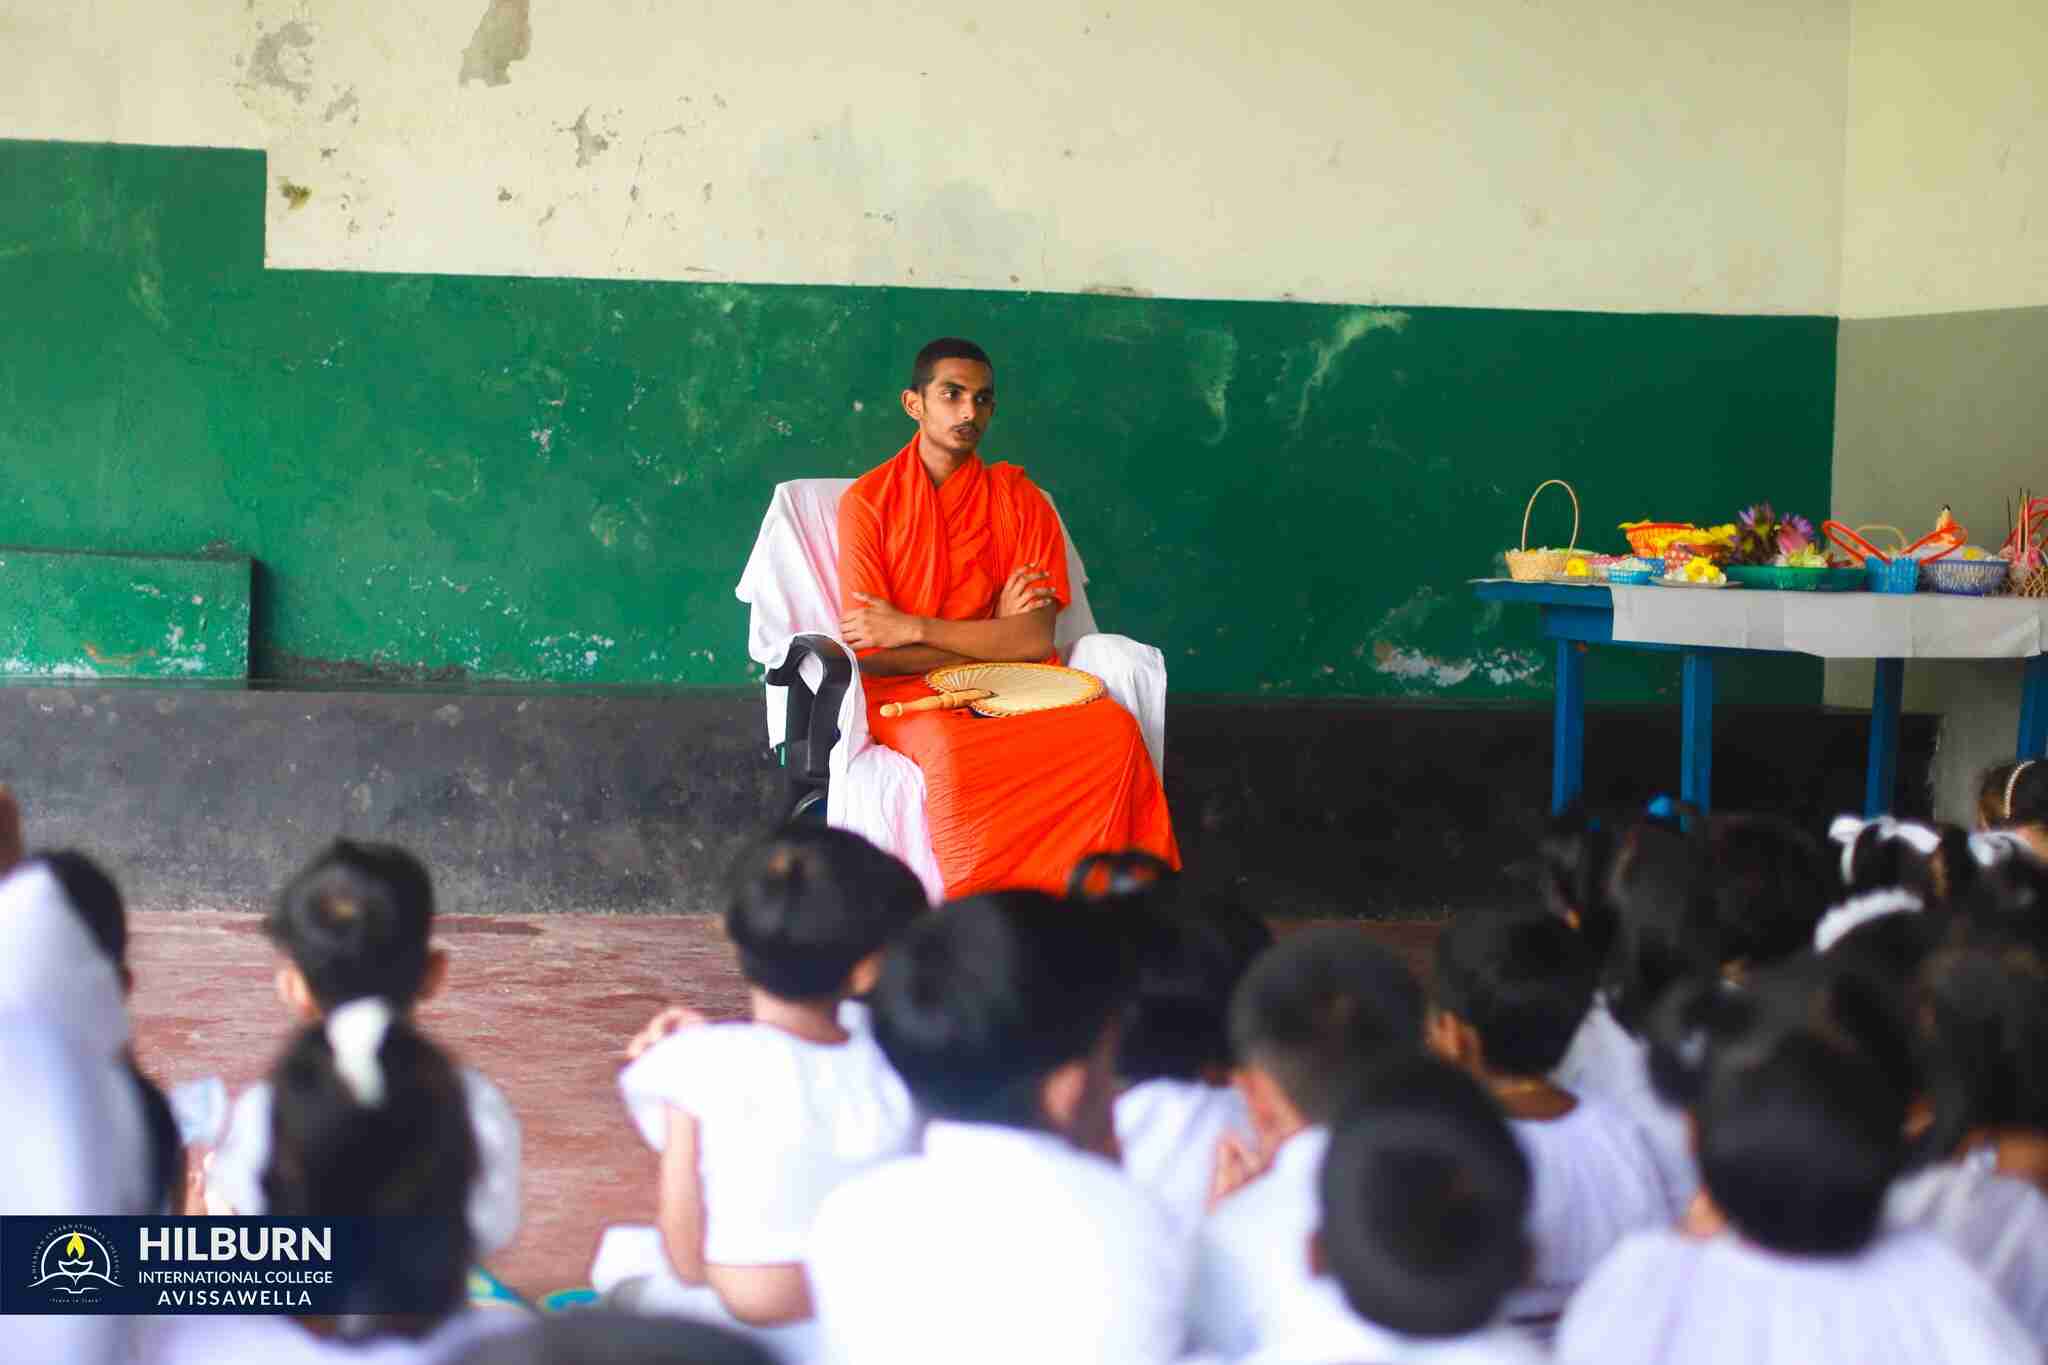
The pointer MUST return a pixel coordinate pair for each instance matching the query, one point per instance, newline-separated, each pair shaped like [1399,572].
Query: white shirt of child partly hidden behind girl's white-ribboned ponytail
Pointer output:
[234,1176]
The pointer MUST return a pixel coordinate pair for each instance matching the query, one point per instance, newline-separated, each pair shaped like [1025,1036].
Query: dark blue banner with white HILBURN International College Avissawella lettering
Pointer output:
[224,1266]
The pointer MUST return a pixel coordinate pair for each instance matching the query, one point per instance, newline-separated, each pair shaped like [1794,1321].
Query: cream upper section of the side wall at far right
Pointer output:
[1947,159]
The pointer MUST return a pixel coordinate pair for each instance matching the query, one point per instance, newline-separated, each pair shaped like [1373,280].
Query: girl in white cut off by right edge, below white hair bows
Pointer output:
[1986,1018]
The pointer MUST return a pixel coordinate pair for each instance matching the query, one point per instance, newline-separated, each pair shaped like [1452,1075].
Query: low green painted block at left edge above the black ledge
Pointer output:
[81,615]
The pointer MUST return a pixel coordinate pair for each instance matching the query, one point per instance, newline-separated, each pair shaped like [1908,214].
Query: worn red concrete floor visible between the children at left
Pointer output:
[540,1004]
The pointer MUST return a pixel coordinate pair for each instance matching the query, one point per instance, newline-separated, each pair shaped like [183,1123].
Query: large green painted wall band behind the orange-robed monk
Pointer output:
[560,480]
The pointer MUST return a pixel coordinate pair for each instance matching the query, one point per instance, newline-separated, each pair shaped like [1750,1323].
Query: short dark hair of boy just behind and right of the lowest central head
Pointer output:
[1523,981]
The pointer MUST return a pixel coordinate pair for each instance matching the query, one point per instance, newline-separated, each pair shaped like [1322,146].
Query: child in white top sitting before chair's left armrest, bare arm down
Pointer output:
[759,1122]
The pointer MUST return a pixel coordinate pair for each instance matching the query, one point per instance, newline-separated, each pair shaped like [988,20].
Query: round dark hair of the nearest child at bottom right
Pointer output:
[1799,1145]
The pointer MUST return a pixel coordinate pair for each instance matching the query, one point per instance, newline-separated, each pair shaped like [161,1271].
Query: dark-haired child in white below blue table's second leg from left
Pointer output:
[1664,930]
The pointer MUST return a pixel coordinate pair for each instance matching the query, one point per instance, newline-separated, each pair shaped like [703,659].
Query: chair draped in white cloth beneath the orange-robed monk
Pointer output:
[816,707]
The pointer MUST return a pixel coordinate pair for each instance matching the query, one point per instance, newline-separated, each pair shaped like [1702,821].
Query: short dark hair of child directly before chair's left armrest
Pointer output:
[810,904]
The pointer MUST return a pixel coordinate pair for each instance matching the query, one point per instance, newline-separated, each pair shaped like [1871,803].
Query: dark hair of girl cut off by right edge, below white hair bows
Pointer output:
[1986,1018]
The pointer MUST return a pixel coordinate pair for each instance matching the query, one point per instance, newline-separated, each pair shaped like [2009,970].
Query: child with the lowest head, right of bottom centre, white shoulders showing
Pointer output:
[1424,1200]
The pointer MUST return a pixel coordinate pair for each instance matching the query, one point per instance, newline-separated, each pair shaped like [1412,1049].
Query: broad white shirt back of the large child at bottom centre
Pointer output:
[1000,1247]
